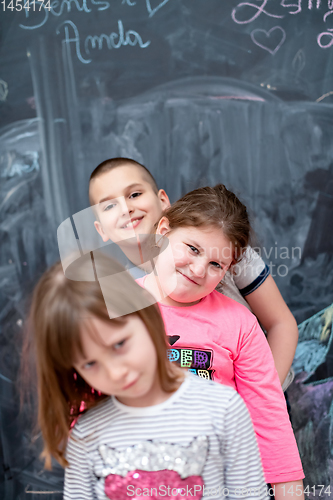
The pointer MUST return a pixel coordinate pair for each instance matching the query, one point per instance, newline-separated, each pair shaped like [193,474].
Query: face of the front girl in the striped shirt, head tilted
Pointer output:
[120,360]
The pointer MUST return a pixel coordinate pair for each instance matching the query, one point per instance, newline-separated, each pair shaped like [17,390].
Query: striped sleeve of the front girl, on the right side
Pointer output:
[243,472]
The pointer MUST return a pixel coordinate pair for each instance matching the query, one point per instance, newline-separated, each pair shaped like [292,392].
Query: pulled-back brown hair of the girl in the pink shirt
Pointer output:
[213,207]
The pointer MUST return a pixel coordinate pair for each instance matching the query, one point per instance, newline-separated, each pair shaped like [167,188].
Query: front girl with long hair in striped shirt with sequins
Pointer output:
[122,419]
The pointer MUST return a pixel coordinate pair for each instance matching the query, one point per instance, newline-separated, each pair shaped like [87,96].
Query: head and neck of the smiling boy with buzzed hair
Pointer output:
[127,203]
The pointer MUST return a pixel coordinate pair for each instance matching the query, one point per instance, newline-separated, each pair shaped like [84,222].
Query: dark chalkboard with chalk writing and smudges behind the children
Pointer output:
[199,91]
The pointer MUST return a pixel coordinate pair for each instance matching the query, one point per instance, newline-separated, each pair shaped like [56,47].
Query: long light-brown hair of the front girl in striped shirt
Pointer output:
[60,307]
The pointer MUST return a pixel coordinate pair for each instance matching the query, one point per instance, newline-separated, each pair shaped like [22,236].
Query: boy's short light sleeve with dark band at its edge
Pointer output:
[250,272]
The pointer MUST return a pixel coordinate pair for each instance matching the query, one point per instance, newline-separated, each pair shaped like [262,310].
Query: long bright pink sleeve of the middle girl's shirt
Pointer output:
[258,383]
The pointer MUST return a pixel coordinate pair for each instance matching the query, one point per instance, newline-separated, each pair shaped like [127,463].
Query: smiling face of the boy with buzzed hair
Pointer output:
[126,203]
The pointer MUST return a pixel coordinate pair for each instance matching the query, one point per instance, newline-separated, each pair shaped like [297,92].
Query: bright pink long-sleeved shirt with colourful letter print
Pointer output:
[222,340]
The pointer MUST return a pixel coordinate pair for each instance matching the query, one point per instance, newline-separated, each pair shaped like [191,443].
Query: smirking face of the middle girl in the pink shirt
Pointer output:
[201,257]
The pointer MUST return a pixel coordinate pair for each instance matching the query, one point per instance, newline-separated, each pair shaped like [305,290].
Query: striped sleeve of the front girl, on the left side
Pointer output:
[79,478]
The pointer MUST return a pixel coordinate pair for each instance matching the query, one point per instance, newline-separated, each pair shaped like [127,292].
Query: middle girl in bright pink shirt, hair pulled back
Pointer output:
[211,334]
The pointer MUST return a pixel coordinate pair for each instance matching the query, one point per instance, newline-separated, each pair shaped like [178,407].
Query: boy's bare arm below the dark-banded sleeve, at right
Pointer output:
[267,304]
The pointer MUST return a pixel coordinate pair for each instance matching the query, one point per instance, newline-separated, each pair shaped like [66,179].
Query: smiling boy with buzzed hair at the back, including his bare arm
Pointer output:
[128,203]
